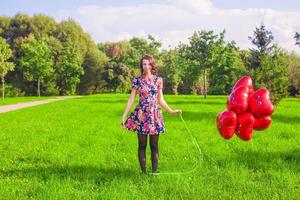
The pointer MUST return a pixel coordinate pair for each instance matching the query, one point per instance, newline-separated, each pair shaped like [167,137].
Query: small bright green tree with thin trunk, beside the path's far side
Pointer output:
[36,61]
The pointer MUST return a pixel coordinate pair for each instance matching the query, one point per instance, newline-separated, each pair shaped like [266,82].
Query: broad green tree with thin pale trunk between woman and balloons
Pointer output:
[213,63]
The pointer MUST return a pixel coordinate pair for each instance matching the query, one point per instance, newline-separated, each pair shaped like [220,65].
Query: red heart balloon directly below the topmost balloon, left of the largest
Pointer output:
[238,99]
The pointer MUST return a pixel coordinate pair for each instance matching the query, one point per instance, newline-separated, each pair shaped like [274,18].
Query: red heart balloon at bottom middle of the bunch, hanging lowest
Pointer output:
[244,128]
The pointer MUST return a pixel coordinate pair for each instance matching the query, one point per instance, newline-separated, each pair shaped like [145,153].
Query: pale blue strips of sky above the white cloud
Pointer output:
[10,7]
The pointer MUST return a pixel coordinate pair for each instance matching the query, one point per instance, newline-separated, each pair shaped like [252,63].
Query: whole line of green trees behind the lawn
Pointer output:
[39,56]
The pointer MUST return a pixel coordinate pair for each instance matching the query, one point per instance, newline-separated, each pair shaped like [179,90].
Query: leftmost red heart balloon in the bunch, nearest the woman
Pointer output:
[226,123]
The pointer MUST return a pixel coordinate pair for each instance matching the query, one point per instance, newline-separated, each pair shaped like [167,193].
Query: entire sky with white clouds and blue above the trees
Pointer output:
[171,21]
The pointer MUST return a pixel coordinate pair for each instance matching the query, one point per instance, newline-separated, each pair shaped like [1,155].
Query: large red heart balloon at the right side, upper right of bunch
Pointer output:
[260,104]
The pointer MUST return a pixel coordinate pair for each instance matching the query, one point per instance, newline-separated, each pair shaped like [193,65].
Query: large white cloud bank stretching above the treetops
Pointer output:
[175,21]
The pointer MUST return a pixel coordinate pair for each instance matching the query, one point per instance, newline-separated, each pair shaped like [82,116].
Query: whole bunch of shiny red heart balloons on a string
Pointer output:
[247,110]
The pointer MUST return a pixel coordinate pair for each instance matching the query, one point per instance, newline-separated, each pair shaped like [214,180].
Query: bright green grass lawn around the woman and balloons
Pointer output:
[76,149]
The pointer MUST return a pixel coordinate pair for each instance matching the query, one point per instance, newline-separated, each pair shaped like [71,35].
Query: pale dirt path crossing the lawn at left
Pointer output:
[17,106]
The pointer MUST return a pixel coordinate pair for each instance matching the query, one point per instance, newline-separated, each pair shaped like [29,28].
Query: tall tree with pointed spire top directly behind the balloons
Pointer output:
[268,64]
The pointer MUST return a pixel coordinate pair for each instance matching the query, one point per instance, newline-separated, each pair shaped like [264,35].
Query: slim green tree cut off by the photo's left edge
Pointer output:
[5,66]
